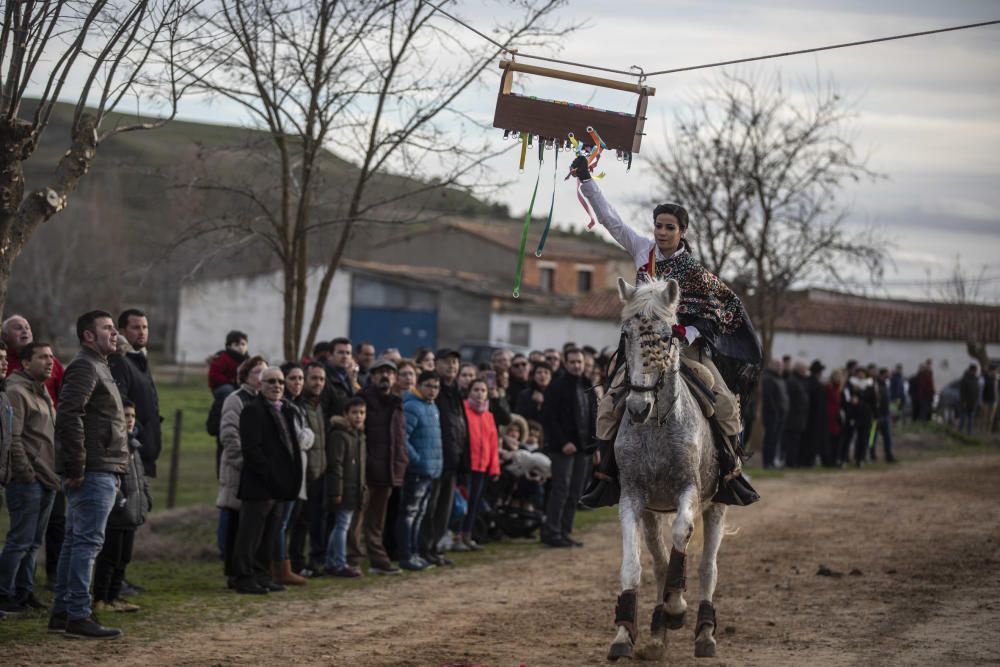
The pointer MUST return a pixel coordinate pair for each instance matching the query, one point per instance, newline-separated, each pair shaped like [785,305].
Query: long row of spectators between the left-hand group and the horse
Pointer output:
[388,461]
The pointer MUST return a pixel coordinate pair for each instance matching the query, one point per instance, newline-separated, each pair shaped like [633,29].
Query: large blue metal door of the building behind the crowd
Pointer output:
[394,327]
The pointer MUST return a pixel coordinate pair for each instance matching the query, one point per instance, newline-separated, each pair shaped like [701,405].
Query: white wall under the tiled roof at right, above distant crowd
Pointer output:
[950,357]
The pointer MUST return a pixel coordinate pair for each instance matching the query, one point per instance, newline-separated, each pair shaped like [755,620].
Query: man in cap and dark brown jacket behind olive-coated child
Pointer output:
[385,467]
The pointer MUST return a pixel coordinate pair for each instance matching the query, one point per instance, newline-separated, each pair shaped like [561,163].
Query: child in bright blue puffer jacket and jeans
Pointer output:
[423,445]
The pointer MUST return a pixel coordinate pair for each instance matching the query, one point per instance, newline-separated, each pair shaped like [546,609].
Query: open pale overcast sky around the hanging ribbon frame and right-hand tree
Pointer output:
[928,109]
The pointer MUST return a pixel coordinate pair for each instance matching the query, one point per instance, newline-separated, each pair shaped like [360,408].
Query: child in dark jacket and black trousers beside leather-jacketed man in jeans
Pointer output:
[132,503]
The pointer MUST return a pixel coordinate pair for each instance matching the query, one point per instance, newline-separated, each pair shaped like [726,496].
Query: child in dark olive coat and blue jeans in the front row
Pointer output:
[345,482]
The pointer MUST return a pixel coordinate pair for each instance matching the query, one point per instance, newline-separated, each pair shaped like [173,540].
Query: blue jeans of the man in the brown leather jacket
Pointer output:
[87,510]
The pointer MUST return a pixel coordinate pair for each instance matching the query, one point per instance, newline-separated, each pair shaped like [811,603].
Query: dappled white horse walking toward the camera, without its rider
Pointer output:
[668,463]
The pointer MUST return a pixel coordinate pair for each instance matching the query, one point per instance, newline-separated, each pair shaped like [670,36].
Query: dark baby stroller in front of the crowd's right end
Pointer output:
[504,512]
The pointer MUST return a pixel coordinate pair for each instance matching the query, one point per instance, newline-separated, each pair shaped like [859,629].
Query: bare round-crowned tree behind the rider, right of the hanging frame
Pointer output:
[763,175]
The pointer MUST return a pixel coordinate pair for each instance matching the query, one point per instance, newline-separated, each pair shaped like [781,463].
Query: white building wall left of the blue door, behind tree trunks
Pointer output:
[210,309]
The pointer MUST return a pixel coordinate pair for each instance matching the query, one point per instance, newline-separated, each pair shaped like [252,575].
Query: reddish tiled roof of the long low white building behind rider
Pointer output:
[821,311]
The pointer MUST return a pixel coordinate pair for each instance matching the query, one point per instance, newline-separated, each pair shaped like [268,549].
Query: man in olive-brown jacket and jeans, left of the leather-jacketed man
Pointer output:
[33,482]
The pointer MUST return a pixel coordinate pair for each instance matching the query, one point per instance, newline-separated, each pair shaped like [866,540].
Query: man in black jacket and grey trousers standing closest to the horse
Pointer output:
[568,416]
